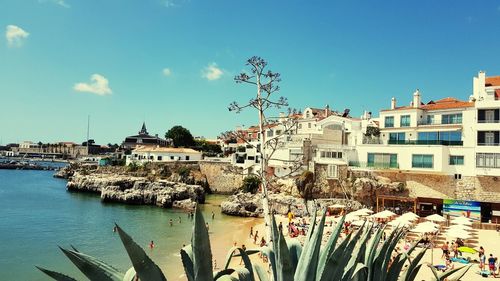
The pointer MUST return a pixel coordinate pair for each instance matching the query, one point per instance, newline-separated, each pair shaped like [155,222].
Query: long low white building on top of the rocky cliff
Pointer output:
[144,154]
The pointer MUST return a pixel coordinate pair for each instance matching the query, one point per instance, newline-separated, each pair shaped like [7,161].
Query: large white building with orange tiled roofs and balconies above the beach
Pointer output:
[446,136]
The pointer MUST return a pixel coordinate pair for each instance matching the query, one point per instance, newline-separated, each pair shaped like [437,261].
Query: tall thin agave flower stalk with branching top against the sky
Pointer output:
[266,83]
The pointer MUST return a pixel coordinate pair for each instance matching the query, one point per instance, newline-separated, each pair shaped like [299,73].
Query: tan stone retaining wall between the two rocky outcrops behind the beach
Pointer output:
[221,177]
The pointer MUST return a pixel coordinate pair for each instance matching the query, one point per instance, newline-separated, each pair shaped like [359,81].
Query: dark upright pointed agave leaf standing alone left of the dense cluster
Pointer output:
[202,254]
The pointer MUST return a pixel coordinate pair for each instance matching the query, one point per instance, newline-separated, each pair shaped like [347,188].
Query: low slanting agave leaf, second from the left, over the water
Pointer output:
[93,268]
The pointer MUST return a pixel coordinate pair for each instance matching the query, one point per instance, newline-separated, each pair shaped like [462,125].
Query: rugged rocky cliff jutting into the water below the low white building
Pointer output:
[138,190]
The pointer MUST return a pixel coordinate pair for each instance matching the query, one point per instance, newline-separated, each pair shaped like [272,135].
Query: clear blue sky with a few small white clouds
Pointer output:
[348,54]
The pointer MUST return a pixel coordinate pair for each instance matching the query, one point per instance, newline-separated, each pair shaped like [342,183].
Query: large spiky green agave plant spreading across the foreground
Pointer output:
[359,256]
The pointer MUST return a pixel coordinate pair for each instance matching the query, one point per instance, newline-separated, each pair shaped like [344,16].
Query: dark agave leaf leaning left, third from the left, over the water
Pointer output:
[146,269]
